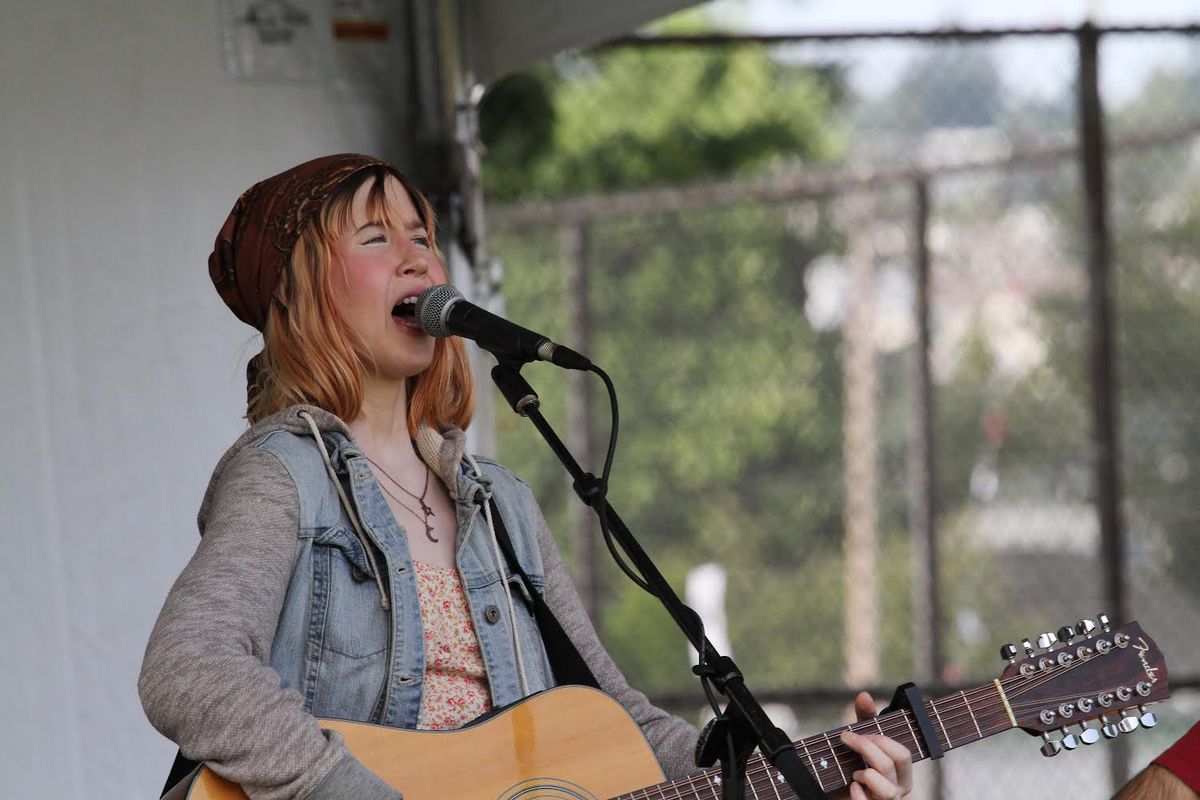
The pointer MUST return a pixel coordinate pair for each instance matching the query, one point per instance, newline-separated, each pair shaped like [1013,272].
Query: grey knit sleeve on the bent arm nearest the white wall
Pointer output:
[206,681]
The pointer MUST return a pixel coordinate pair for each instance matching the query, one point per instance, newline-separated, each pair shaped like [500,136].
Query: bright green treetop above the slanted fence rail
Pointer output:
[628,118]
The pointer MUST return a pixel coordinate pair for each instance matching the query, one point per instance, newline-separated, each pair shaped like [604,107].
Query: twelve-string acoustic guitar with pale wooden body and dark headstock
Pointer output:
[577,744]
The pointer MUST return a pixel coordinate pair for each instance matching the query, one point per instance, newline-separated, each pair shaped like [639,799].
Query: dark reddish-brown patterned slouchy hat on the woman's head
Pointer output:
[256,240]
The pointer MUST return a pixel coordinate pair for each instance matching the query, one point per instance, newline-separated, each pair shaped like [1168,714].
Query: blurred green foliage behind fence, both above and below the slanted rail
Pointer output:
[730,446]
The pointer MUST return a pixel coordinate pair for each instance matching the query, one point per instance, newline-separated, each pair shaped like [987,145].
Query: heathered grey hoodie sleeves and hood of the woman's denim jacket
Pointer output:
[207,683]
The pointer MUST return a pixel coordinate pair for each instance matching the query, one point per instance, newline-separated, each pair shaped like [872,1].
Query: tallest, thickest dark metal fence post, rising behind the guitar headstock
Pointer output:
[1102,357]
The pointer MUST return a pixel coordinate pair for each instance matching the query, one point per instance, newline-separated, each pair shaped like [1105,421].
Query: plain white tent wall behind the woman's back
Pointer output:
[123,147]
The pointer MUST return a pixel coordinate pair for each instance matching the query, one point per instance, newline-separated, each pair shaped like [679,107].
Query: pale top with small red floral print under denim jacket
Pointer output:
[455,690]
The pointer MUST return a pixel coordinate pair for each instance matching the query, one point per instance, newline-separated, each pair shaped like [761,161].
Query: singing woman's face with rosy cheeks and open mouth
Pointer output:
[379,266]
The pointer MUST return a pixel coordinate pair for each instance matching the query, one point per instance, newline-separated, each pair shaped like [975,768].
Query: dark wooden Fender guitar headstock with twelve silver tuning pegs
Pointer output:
[1081,675]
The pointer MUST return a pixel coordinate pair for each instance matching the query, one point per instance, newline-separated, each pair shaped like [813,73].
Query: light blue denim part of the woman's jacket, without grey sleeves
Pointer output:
[355,657]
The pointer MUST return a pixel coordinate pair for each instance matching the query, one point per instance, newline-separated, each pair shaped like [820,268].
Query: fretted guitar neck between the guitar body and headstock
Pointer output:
[958,720]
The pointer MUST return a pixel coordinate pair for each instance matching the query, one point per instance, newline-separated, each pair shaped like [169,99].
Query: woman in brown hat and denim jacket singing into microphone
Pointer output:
[349,563]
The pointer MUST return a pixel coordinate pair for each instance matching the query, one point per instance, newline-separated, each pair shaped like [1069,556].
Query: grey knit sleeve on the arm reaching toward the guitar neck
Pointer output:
[673,739]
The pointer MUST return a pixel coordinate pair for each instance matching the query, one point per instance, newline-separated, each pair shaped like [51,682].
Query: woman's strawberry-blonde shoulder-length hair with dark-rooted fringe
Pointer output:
[311,356]
